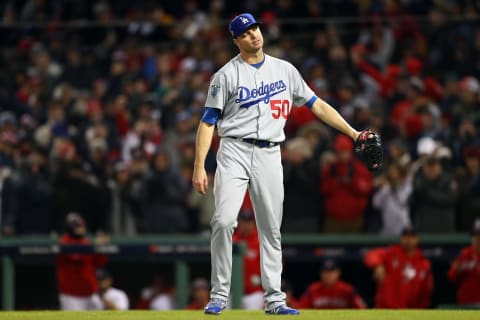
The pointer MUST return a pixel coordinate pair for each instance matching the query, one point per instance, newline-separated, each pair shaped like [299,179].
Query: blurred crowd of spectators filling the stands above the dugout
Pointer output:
[100,101]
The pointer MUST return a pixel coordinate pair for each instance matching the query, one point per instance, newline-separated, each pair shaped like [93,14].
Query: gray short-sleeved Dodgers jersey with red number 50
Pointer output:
[255,103]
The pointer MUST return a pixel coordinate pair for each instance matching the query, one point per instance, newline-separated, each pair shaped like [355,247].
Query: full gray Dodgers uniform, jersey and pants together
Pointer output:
[254,103]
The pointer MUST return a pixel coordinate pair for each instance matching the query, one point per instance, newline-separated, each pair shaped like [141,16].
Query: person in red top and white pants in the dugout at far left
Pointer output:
[76,273]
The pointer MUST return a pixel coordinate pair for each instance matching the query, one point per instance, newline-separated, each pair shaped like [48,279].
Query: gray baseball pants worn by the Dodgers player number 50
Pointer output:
[241,165]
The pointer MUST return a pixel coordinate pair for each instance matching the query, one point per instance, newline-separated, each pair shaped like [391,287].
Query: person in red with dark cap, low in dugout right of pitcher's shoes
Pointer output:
[331,292]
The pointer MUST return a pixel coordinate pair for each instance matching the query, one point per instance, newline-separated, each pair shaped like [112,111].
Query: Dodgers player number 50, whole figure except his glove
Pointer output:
[249,100]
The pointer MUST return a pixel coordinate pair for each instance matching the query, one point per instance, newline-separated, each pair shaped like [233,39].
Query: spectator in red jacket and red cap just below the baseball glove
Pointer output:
[345,185]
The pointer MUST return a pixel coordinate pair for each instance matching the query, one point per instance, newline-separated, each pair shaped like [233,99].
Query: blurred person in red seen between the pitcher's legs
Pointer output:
[247,232]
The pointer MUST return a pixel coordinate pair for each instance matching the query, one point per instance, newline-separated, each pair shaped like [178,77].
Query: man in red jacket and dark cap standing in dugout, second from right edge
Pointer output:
[403,274]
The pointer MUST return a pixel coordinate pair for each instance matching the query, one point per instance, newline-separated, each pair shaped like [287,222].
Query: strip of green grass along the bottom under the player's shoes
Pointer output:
[247,315]
